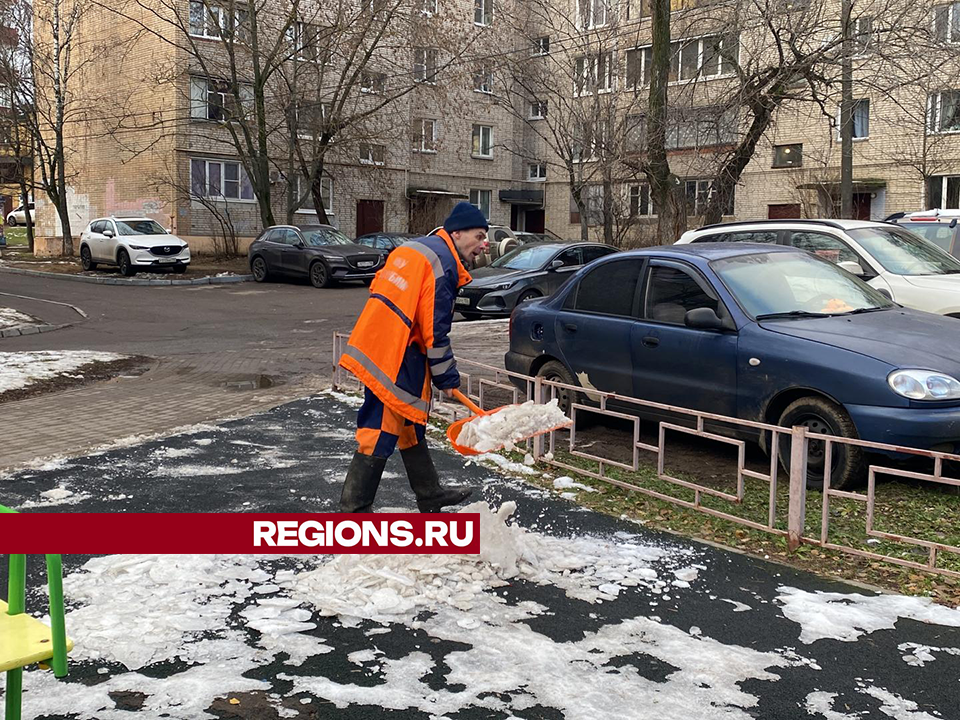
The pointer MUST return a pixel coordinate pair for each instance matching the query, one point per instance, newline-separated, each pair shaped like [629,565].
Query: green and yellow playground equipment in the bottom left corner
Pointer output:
[24,640]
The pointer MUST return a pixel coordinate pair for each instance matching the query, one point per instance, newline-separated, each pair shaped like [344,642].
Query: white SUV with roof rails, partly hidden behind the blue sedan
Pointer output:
[903,266]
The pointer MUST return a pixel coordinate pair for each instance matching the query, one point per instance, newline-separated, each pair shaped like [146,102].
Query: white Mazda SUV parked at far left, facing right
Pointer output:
[132,244]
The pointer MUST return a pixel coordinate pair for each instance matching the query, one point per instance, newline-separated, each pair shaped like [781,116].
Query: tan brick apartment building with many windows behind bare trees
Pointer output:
[461,133]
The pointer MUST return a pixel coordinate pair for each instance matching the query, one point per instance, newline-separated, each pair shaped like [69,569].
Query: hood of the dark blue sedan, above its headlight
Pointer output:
[900,337]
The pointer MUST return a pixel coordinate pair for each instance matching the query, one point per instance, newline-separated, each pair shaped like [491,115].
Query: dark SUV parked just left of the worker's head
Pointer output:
[318,252]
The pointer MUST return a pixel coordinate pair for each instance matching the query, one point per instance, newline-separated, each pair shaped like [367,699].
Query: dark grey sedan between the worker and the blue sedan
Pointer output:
[528,272]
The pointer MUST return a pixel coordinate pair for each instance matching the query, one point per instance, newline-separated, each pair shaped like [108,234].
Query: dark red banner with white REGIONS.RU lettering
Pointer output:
[238,533]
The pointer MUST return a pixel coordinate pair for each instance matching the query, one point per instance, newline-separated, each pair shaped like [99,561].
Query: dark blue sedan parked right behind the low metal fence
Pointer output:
[756,332]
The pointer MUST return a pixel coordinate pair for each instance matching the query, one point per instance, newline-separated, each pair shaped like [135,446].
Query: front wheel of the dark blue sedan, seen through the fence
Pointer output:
[823,417]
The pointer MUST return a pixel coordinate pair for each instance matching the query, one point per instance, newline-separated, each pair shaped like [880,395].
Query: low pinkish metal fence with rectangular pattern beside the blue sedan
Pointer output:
[480,381]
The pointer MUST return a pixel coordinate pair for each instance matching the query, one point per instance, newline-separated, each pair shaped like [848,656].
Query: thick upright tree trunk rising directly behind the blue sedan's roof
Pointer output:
[665,189]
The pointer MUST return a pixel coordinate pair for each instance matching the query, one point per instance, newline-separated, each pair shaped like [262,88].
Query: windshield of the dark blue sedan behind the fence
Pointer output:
[795,284]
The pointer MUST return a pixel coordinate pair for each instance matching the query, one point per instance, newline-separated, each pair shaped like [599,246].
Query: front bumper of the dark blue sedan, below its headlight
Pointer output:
[923,428]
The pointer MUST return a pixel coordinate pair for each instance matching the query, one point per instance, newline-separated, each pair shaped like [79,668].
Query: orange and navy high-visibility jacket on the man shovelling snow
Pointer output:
[400,340]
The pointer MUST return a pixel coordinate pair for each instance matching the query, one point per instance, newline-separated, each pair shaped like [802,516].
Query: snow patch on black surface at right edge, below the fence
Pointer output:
[846,617]
